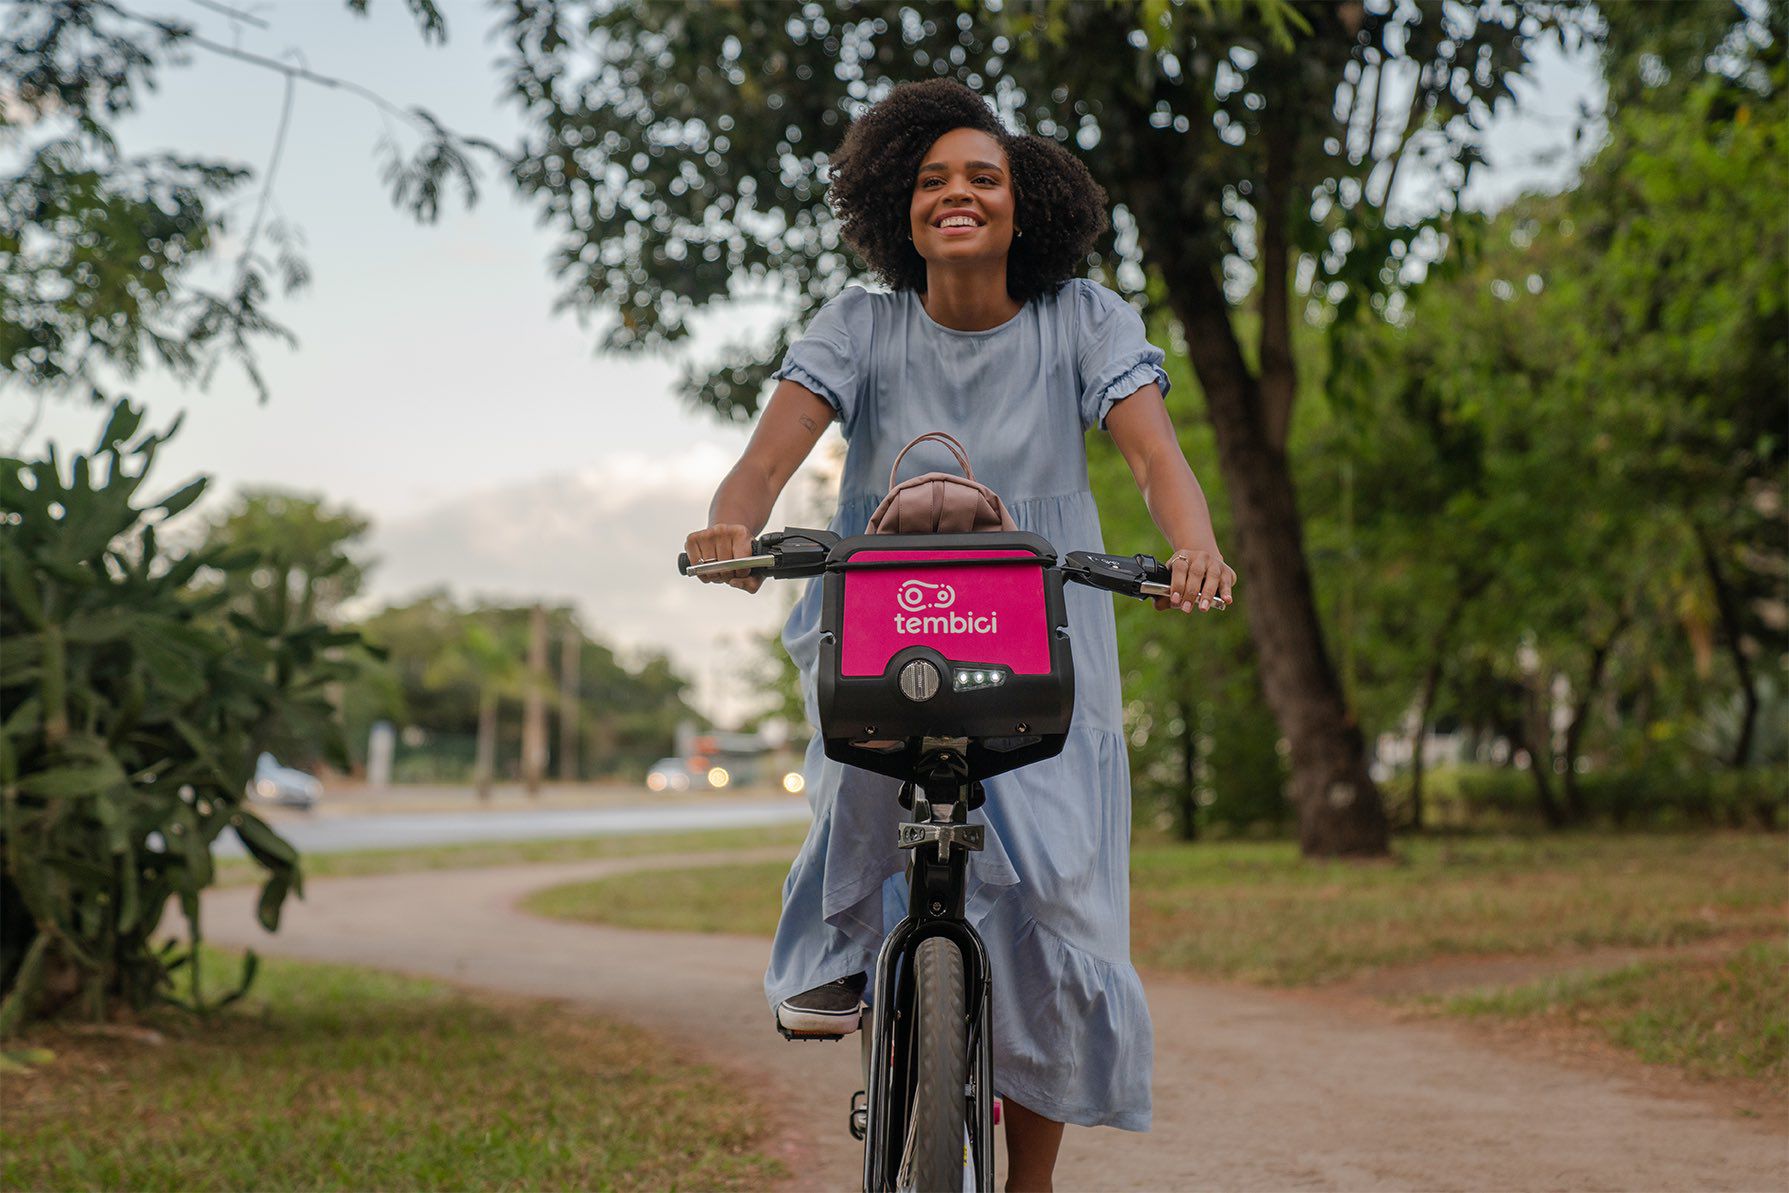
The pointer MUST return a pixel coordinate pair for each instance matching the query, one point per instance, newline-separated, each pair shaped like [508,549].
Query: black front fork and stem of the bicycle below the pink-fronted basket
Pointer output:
[942,842]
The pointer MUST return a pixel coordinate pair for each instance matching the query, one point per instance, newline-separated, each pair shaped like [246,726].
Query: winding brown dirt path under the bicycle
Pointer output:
[1255,1090]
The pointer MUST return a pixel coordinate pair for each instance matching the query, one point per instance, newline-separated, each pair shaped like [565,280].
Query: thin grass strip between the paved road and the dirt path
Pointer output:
[242,872]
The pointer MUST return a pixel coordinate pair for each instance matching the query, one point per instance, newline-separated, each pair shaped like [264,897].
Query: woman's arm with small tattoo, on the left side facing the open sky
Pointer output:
[788,430]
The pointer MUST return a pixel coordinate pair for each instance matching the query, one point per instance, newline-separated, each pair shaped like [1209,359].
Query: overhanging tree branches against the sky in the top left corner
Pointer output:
[106,255]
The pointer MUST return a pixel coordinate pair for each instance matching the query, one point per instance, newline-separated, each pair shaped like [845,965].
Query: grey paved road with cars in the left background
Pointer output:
[393,831]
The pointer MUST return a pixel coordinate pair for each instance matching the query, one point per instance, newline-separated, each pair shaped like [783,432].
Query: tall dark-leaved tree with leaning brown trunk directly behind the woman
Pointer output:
[681,151]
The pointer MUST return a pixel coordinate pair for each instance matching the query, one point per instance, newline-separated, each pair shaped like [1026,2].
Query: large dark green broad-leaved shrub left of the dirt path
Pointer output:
[133,700]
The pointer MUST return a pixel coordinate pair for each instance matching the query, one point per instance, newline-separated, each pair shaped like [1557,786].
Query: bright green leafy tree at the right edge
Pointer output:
[1597,409]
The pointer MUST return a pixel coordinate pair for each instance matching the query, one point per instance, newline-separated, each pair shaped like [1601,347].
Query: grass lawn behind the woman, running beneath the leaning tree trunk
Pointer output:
[1257,913]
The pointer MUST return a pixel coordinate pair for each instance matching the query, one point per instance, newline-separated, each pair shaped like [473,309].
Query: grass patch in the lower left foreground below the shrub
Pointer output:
[332,1078]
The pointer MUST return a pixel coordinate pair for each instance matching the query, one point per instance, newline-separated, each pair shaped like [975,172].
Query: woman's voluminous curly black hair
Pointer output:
[1056,201]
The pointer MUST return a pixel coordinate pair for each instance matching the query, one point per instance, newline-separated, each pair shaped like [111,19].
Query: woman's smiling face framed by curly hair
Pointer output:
[963,201]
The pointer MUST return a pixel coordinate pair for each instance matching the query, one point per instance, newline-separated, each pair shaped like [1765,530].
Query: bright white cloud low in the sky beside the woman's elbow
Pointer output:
[606,541]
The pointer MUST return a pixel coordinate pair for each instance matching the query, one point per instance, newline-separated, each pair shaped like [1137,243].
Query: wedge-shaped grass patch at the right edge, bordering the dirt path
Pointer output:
[1717,1019]
